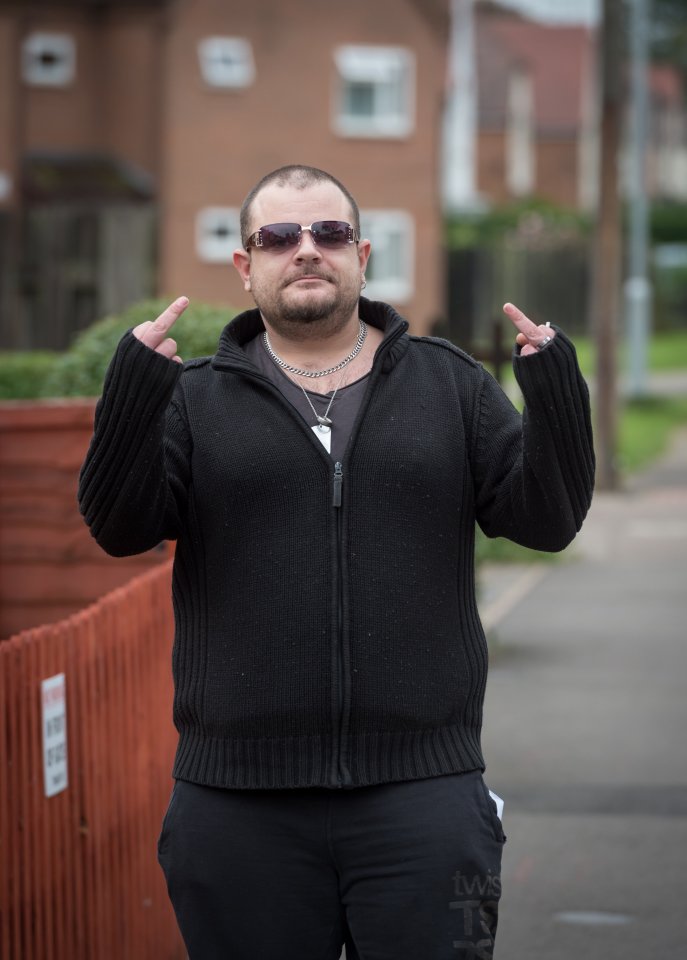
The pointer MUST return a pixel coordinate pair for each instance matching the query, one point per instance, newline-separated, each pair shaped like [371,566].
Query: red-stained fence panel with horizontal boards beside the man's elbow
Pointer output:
[50,566]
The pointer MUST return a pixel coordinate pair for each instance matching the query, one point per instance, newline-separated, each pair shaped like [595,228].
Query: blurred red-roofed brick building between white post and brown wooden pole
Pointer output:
[538,124]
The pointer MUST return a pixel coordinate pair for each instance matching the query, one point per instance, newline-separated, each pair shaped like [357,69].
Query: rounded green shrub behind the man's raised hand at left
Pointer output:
[80,371]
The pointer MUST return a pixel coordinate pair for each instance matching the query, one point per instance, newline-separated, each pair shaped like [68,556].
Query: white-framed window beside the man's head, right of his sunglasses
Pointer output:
[390,270]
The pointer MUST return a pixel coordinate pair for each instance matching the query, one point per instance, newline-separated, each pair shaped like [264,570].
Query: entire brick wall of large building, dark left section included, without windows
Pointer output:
[139,95]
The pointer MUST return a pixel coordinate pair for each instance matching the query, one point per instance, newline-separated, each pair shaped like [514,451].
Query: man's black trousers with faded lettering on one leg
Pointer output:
[399,871]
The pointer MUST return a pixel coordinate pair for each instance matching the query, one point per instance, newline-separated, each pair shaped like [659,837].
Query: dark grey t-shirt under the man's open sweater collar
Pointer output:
[342,412]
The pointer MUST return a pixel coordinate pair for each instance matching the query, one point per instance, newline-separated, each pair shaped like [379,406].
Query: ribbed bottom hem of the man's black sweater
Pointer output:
[270,764]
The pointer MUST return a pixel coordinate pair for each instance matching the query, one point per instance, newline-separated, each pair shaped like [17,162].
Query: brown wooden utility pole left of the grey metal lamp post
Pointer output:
[605,294]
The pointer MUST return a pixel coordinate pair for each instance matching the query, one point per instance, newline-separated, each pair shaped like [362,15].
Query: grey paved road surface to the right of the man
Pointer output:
[585,733]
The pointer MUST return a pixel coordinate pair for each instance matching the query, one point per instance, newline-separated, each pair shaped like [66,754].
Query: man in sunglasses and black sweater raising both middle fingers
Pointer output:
[322,475]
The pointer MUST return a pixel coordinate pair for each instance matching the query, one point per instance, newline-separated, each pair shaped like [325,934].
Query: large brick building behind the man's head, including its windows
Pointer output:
[130,132]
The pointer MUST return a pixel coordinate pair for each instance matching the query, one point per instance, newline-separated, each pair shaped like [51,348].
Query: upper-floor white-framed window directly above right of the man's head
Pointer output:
[375,92]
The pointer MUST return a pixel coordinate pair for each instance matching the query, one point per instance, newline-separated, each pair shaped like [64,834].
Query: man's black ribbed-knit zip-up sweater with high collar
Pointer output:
[326,625]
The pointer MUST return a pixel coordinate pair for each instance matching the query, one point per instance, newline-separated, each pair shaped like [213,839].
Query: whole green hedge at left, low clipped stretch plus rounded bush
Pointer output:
[80,371]
